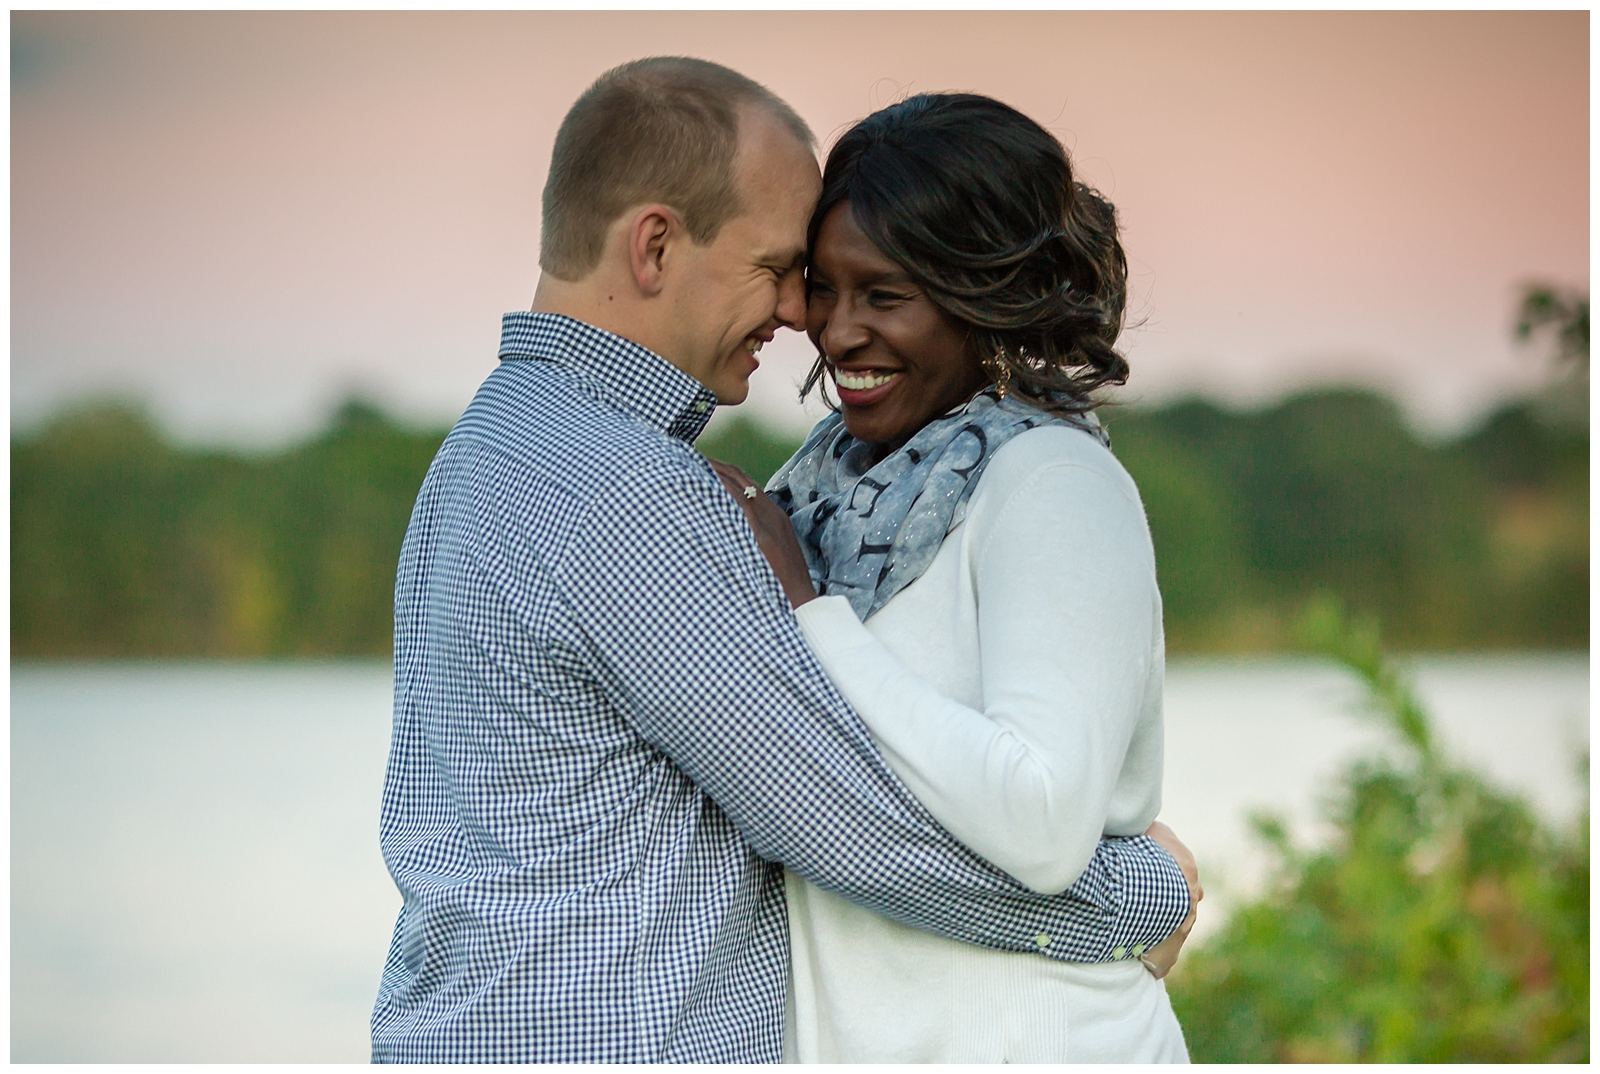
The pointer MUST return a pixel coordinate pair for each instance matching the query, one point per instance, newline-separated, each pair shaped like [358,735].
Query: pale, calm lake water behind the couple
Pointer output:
[194,848]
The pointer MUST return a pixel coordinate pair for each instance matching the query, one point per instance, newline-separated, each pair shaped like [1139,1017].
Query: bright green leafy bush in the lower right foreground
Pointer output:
[1446,923]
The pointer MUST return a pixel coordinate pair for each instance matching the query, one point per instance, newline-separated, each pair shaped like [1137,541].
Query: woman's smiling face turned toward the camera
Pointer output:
[897,359]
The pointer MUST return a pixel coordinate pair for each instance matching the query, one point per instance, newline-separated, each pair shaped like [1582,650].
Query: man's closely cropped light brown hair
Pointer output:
[663,129]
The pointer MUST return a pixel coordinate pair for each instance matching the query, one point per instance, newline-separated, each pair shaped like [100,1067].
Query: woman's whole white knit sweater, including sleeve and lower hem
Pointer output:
[1017,689]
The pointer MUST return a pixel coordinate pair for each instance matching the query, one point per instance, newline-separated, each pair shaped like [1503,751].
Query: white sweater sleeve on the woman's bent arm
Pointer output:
[1068,623]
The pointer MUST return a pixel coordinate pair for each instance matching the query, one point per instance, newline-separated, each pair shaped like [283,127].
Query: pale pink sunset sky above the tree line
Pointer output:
[242,218]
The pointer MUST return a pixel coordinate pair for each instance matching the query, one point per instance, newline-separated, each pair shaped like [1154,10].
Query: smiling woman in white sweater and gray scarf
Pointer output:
[988,587]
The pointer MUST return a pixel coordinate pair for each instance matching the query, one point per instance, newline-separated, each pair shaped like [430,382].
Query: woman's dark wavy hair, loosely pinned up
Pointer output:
[978,204]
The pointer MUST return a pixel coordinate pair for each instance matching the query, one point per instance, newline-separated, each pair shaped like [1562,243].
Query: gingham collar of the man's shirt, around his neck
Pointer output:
[630,377]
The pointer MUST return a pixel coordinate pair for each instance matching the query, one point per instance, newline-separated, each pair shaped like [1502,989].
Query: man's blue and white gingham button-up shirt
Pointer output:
[609,732]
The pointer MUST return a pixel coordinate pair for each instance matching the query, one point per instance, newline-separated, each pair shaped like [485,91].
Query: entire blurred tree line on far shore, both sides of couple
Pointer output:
[124,545]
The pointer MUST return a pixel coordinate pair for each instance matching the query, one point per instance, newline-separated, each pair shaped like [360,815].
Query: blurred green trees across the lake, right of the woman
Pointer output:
[1481,543]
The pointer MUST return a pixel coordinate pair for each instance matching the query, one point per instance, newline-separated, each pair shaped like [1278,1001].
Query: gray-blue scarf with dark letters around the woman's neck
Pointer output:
[870,532]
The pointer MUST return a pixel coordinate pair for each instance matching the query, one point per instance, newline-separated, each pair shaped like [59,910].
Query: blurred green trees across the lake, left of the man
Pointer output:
[124,545]
